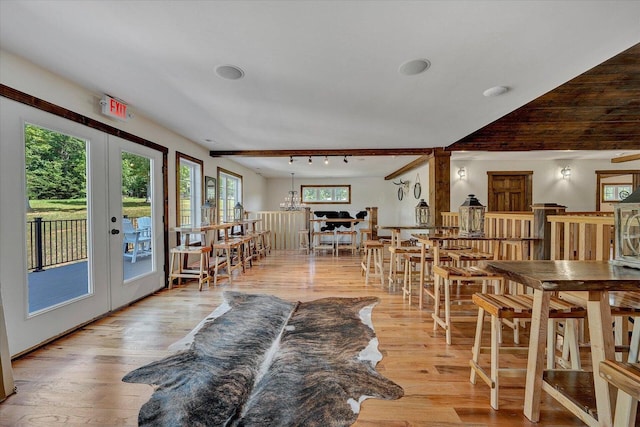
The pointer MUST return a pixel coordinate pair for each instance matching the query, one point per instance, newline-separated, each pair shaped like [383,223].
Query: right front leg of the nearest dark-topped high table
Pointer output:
[602,347]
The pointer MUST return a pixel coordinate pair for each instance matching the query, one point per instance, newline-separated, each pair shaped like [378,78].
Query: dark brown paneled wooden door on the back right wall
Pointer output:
[509,191]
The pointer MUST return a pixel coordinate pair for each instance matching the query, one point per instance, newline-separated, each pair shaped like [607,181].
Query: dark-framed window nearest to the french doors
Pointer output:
[188,190]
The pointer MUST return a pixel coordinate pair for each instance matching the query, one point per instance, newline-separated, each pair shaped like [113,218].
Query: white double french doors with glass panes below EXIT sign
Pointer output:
[44,293]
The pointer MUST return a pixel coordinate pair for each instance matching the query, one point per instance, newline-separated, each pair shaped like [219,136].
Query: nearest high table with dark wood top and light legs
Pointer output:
[594,277]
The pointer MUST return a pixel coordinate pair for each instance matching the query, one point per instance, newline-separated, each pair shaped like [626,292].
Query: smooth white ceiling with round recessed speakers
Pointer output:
[320,74]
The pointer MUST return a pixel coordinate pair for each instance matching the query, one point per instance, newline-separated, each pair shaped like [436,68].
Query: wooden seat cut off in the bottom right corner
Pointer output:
[626,378]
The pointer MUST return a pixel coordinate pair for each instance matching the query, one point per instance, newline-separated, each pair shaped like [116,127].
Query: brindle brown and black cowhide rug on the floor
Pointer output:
[261,361]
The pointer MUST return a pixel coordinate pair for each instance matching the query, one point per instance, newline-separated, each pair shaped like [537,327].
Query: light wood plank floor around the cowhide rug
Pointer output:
[76,380]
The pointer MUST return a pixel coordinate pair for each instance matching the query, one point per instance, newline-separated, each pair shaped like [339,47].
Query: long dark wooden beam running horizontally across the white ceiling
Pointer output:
[327,152]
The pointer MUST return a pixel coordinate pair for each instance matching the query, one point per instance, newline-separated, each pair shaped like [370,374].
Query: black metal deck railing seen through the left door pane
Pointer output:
[53,242]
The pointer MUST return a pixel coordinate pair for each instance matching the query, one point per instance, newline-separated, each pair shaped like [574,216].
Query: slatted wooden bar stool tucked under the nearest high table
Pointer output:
[512,307]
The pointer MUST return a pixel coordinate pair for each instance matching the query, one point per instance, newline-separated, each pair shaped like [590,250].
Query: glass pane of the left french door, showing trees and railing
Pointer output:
[56,218]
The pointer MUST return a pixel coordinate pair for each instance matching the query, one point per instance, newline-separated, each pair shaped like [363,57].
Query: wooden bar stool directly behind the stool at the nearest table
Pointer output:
[445,276]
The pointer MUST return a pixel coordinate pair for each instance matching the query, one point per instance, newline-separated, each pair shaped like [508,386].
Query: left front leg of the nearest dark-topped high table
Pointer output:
[536,358]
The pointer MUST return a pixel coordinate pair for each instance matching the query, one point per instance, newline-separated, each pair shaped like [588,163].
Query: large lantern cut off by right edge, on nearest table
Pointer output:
[627,229]
